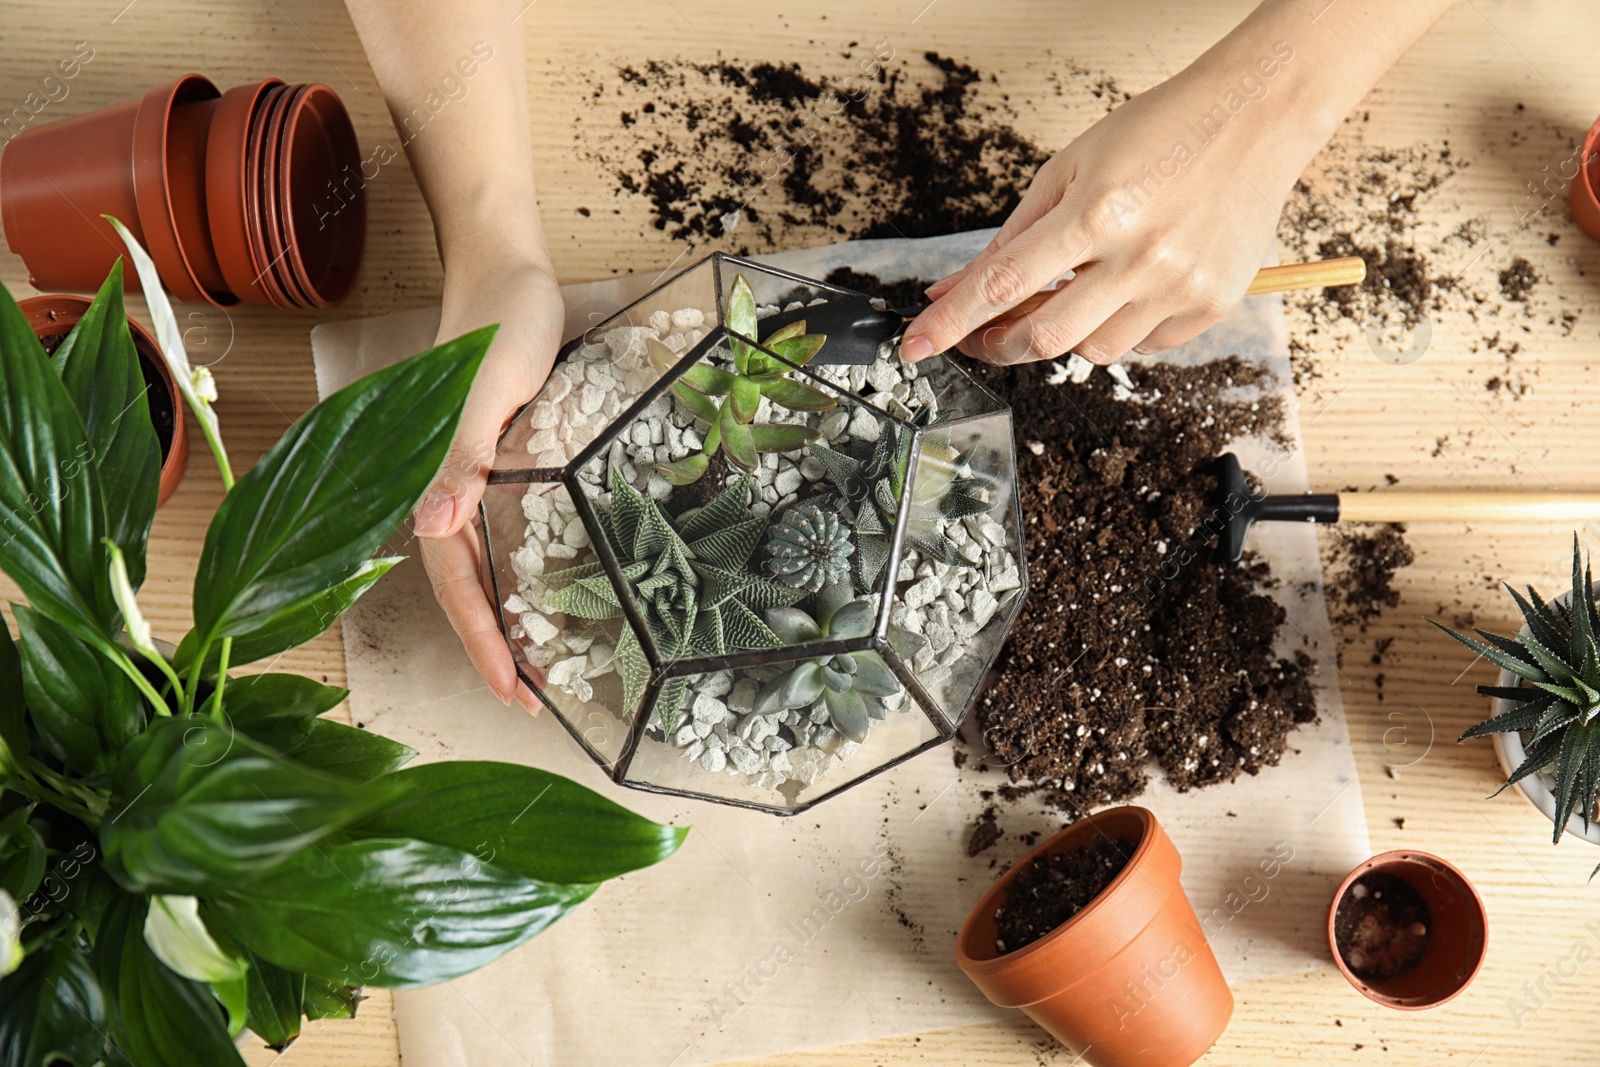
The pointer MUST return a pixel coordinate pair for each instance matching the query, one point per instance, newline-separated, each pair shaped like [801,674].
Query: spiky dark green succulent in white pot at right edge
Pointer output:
[1559,703]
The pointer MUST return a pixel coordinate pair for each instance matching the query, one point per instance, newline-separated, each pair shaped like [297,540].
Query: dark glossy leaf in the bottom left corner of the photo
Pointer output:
[52,1010]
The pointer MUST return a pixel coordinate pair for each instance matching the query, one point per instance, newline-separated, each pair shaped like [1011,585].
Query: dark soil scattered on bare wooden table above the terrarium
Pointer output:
[729,153]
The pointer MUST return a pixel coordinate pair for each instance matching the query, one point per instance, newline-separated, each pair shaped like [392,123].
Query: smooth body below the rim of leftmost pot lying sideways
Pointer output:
[57,182]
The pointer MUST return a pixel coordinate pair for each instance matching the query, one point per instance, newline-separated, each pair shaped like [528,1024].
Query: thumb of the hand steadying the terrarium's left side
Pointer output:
[503,385]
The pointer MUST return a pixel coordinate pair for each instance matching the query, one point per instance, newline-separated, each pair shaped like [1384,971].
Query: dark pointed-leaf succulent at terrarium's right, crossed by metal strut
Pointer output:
[870,492]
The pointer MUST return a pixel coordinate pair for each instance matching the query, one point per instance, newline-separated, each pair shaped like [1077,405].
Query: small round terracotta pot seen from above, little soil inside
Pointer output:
[1457,941]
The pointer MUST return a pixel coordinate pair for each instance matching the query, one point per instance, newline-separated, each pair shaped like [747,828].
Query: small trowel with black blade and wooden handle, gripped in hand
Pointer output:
[860,332]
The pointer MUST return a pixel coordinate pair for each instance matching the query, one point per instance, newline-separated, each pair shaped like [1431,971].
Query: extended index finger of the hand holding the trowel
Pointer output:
[994,286]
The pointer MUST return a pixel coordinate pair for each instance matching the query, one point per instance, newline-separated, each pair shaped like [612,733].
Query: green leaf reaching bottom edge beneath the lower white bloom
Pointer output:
[158,1018]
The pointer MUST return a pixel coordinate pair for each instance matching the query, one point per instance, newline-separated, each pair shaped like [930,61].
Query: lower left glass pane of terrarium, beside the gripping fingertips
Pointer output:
[562,628]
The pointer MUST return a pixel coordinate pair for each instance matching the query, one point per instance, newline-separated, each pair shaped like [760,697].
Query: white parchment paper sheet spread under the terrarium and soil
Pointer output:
[767,935]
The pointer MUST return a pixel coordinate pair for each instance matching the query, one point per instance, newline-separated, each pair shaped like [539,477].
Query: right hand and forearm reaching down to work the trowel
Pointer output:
[1166,209]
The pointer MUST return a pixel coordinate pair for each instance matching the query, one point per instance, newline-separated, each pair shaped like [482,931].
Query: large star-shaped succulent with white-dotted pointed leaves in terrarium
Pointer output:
[689,581]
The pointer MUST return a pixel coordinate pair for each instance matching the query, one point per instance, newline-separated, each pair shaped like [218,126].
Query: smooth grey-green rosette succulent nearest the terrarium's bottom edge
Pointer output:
[850,685]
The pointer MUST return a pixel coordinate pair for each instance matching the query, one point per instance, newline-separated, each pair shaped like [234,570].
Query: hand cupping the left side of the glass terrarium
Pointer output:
[527,305]
